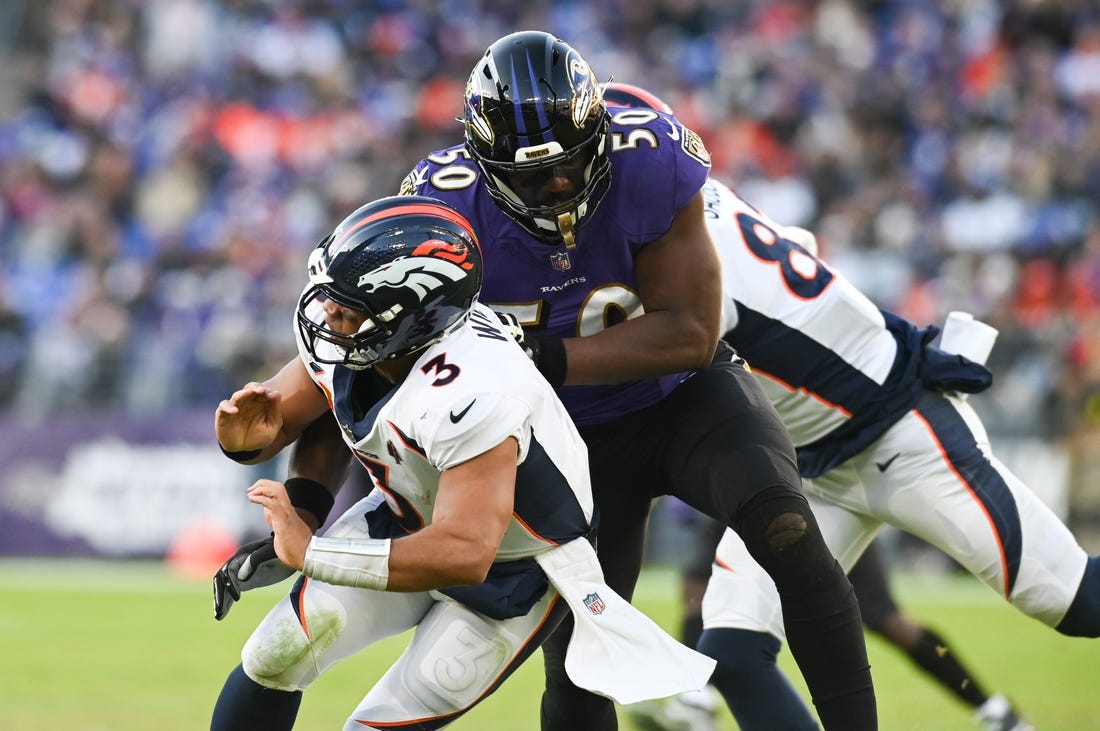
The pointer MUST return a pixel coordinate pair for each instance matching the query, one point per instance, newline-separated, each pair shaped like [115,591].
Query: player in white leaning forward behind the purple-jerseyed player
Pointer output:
[884,435]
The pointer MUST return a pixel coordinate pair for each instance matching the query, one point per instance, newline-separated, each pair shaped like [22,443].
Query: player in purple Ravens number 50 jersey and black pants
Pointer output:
[596,242]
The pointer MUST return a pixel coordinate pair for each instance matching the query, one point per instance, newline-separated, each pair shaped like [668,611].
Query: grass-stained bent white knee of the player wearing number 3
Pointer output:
[281,655]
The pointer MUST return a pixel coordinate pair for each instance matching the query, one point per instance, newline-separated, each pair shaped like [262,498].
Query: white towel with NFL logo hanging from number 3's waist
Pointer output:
[617,651]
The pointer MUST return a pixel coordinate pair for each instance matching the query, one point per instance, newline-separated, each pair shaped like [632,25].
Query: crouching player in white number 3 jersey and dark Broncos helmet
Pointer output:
[477,533]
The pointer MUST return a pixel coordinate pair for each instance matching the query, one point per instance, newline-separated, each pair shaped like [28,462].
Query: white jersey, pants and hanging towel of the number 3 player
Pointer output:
[466,395]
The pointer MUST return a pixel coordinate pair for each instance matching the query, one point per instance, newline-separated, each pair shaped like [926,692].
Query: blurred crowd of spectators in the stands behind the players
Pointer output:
[167,167]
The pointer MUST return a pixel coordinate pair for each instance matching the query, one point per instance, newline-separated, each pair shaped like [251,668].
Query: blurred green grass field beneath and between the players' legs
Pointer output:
[125,647]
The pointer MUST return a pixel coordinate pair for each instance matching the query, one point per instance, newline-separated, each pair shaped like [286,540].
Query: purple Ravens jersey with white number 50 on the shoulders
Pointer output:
[657,167]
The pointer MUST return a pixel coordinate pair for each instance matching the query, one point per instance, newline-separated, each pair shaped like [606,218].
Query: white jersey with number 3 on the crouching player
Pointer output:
[465,396]
